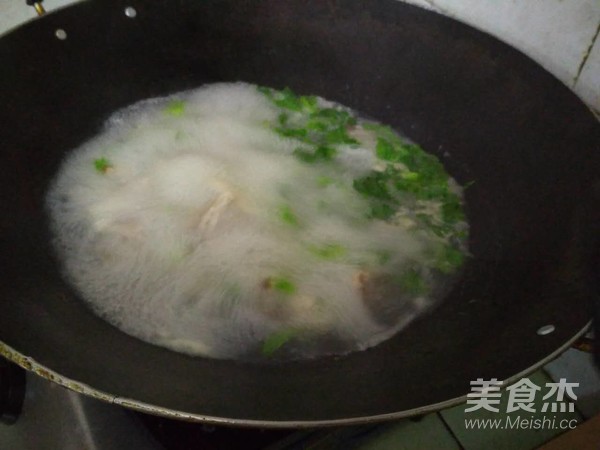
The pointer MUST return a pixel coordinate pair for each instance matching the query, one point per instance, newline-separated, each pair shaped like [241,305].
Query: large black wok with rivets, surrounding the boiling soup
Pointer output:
[492,115]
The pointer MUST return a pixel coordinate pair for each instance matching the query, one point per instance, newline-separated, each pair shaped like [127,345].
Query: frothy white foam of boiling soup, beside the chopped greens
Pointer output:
[197,230]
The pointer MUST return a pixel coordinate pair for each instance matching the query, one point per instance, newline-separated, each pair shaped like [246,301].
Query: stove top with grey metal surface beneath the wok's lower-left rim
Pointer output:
[37,414]
